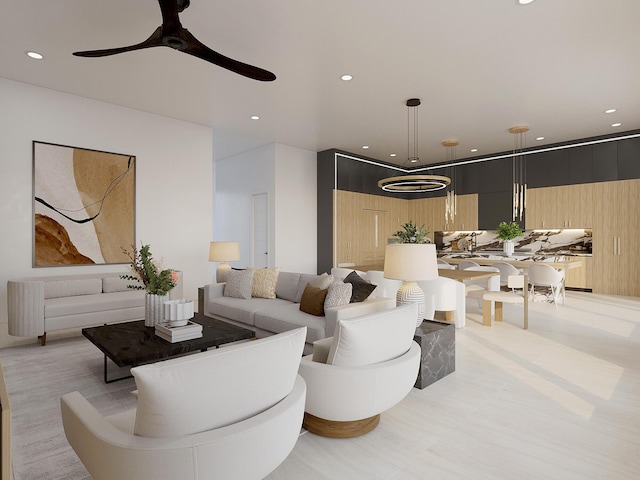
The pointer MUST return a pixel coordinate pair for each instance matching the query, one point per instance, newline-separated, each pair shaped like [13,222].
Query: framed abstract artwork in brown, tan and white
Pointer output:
[83,206]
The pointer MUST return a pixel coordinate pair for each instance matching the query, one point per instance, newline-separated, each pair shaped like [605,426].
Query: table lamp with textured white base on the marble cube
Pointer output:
[411,262]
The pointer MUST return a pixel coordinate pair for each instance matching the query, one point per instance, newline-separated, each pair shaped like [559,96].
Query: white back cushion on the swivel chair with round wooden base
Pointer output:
[373,338]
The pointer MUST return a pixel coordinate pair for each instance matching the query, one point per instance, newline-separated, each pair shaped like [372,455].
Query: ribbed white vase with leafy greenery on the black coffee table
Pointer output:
[153,279]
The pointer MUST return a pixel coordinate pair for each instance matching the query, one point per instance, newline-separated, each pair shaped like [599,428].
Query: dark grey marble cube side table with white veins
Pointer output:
[437,341]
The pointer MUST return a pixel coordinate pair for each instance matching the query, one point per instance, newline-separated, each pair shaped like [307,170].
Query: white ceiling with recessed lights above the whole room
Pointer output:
[479,67]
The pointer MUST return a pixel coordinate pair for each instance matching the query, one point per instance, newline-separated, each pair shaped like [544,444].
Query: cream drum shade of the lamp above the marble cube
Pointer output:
[411,262]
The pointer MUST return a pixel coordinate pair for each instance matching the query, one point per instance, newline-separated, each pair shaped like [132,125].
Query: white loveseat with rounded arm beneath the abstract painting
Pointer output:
[37,305]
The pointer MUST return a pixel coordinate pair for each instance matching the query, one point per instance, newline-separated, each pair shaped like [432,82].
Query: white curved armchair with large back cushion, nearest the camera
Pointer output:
[198,417]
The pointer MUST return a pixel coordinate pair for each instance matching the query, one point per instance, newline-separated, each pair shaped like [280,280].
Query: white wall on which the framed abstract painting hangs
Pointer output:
[173,178]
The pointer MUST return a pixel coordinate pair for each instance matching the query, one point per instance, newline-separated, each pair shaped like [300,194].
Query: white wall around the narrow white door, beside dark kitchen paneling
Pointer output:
[288,176]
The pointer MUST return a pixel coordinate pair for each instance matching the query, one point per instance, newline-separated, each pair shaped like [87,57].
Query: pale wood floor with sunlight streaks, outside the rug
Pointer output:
[558,401]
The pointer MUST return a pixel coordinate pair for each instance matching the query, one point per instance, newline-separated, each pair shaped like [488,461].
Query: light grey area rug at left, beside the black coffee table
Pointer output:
[36,377]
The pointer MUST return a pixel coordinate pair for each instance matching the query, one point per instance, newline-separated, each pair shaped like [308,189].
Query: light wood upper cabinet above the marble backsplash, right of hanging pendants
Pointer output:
[567,206]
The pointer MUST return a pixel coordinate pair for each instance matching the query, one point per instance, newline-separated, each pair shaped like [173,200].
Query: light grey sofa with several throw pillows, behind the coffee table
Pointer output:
[282,311]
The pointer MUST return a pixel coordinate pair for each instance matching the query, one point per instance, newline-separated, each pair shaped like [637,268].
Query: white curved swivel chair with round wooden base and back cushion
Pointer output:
[368,366]
